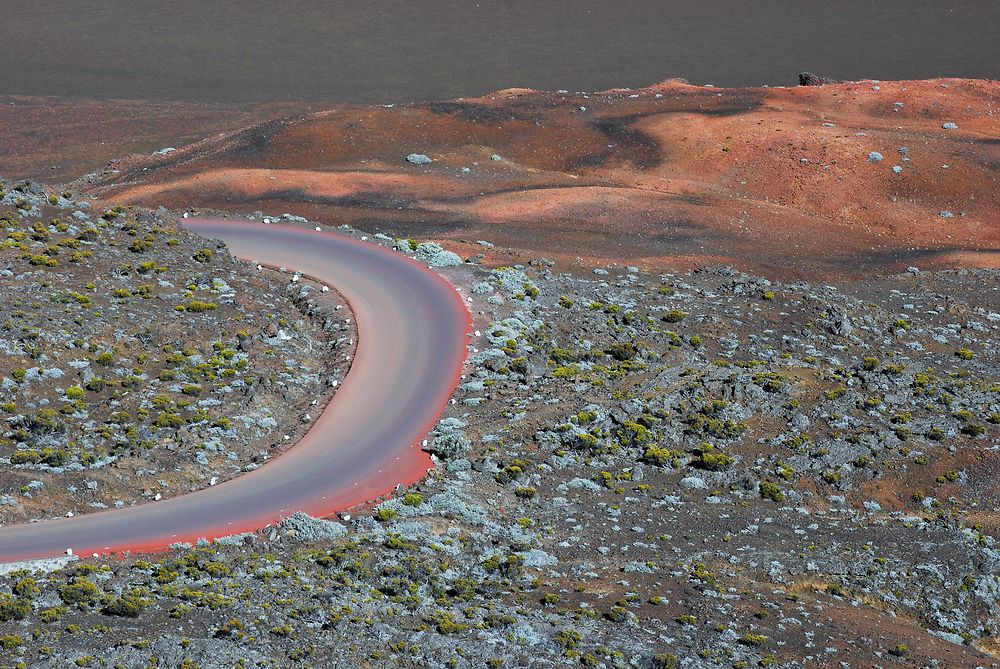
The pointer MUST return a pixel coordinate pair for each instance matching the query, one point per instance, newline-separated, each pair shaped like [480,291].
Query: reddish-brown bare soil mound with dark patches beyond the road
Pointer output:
[780,180]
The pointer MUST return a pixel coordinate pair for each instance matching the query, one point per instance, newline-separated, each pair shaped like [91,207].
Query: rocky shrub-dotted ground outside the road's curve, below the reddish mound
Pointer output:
[639,470]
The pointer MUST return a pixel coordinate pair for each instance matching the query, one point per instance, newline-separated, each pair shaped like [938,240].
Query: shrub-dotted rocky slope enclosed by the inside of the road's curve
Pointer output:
[138,361]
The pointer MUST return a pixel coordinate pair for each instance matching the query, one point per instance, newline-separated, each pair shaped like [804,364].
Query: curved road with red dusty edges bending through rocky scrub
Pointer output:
[413,329]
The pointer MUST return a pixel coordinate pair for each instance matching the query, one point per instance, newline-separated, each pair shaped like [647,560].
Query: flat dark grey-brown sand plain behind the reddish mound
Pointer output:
[404,51]
